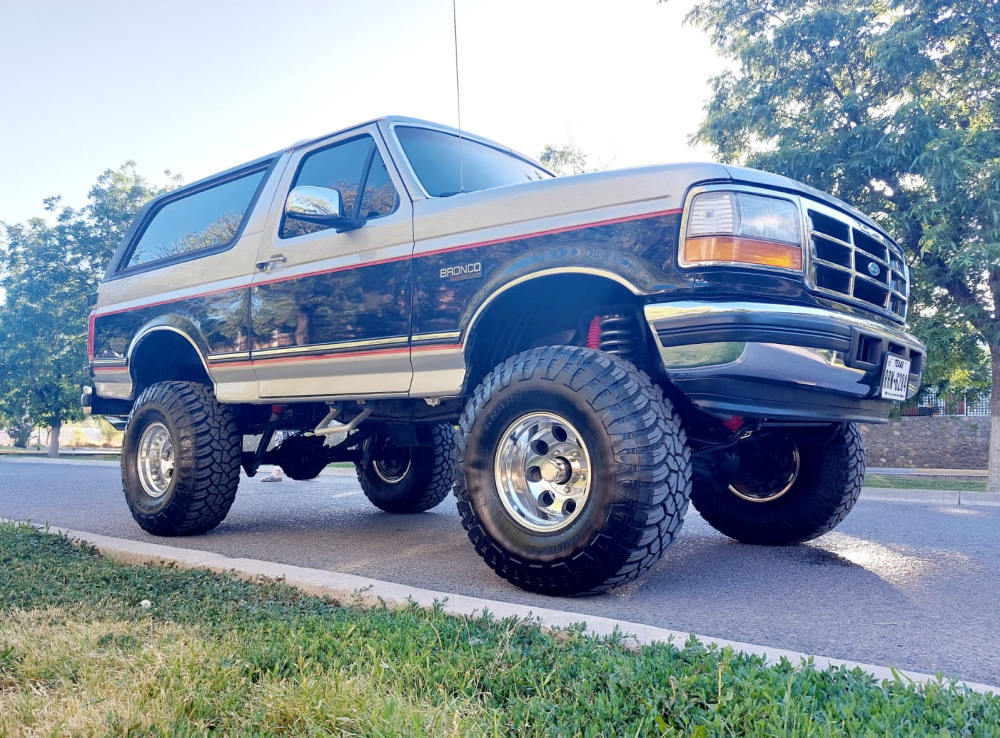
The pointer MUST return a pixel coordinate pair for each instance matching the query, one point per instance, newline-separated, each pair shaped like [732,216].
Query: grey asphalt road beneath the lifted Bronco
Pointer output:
[908,585]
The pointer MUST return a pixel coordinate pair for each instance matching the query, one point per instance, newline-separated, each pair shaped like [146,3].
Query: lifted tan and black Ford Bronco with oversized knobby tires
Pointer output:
[575,356]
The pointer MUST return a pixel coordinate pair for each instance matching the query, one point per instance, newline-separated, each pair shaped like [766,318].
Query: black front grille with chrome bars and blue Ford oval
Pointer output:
[856,263]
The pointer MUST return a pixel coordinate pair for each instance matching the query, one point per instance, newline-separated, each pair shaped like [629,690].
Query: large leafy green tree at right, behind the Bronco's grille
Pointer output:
[894,106]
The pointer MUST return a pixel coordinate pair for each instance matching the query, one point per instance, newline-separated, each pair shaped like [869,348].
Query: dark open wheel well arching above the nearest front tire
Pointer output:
[552,310]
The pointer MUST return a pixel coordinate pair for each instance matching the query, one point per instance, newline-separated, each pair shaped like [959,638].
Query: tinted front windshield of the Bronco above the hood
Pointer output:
[436,156]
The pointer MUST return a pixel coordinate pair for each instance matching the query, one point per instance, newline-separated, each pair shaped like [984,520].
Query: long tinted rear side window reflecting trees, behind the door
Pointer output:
[207,217]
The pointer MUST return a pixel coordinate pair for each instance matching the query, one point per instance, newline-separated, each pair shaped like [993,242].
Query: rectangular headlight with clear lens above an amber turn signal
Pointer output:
[740,228]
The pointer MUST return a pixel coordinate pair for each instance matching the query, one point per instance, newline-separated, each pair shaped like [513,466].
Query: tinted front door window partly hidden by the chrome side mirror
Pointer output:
[342,167]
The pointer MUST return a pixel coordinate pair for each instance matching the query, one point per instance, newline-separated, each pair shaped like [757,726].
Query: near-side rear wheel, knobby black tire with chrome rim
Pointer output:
[180,459]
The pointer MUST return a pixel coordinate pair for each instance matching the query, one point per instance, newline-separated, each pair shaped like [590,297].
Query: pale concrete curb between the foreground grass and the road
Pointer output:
[365,592]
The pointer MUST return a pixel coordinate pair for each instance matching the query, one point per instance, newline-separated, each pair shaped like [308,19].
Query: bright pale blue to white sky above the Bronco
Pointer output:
[196,87]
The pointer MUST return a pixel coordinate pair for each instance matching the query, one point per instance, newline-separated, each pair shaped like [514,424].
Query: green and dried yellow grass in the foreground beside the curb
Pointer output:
[92,647]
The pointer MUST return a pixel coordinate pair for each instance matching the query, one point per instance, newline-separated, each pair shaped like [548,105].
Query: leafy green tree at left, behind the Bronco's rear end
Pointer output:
[46,272]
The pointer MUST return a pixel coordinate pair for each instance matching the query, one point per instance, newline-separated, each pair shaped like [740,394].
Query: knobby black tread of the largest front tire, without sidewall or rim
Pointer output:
[651,474]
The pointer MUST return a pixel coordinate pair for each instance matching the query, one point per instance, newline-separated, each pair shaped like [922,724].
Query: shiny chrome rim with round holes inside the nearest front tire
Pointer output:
[542,472]
